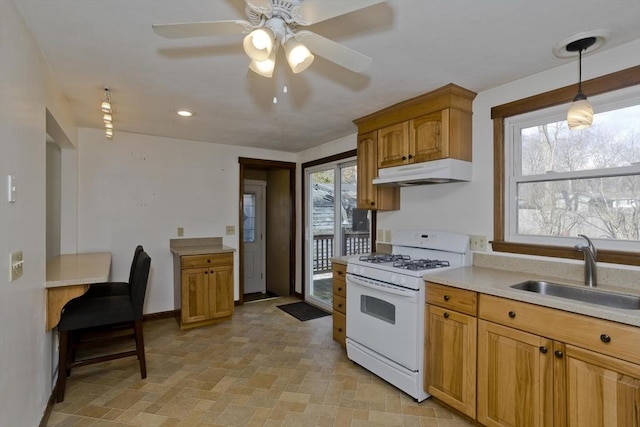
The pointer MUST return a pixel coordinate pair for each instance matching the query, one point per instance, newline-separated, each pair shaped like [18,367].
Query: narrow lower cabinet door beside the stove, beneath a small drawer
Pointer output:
[451,358]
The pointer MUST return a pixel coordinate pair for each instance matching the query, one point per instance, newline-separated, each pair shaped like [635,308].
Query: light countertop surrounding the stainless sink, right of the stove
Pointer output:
[496,282]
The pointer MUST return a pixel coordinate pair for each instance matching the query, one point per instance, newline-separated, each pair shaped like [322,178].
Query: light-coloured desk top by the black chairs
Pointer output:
[78,269]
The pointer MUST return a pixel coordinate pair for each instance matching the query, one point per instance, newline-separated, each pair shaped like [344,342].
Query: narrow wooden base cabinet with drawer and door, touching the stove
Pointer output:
[450,353]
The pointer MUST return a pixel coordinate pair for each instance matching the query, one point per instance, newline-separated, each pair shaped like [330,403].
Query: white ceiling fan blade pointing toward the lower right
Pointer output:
[334,52]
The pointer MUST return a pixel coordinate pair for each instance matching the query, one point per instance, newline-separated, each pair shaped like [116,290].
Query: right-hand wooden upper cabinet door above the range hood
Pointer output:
[429,137]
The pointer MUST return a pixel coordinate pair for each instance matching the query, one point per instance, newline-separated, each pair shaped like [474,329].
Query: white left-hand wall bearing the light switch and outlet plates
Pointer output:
[27,91]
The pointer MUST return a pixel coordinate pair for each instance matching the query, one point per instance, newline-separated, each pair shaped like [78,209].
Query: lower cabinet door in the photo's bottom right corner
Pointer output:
[600,390]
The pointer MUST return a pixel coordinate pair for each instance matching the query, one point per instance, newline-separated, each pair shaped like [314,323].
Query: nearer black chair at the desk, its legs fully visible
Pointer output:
[105,318]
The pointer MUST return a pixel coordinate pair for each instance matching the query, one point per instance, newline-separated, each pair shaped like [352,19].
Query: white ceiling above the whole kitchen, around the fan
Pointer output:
[416,46]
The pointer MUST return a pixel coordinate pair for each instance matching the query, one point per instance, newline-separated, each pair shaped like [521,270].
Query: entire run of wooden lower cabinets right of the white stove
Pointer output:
[536,366]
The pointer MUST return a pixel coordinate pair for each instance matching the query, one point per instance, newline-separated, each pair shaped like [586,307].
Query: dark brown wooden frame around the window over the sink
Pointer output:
[499,114]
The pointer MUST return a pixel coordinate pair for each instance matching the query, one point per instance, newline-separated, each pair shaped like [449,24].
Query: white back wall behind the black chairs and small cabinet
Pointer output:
[138,189]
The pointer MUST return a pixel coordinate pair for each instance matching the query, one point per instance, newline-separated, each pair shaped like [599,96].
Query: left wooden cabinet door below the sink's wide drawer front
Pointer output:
[515,377]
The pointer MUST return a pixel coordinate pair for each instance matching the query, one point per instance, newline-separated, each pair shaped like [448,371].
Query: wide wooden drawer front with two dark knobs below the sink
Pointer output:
[603,336]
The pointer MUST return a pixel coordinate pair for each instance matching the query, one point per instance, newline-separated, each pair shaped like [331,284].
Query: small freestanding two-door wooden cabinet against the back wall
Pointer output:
[204,289]
